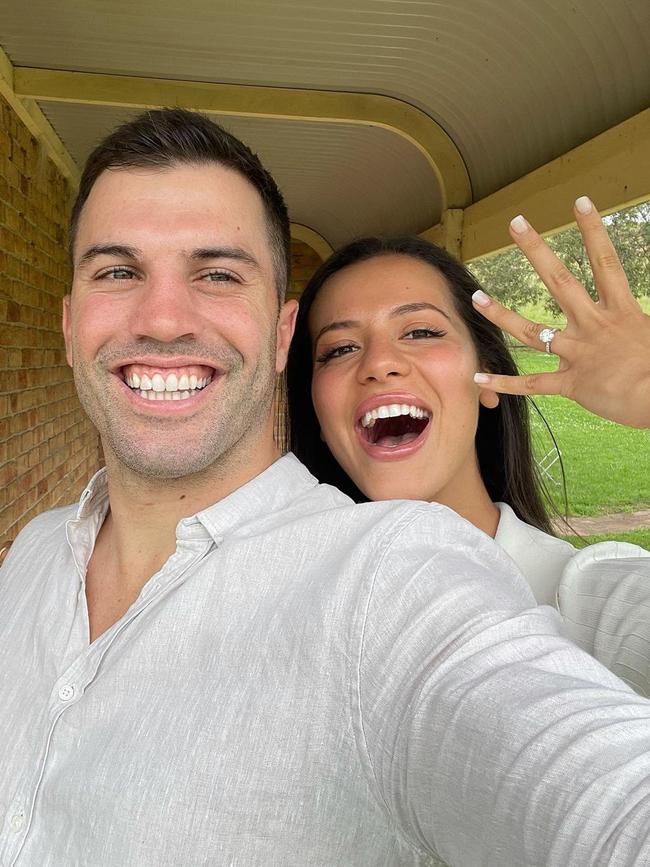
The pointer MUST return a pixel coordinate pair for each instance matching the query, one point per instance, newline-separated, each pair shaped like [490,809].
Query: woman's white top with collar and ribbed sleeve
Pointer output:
[602,592]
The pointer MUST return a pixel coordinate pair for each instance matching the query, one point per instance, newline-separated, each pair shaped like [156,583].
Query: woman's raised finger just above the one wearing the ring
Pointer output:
[569,293]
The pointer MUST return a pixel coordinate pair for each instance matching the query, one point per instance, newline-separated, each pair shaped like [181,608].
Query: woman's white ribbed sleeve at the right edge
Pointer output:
[604,598]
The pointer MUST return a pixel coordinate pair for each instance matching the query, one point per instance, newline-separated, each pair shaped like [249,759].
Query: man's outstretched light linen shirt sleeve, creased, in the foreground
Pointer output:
[490,738]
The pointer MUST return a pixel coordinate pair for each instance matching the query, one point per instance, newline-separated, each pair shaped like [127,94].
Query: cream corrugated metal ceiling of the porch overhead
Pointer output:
[513,82]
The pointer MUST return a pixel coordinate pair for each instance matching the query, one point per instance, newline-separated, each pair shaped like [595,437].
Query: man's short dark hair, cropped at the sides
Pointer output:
[172,136]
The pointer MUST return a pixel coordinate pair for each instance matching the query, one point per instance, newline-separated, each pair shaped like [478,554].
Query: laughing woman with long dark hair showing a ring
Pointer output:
[409,374]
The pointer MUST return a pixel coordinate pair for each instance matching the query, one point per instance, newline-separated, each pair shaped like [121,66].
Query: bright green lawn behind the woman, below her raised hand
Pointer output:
[607,466]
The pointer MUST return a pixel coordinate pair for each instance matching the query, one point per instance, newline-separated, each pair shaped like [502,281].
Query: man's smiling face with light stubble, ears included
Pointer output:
[172,325]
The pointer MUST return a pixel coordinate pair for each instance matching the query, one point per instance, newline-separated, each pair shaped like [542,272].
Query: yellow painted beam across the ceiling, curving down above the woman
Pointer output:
[369,109]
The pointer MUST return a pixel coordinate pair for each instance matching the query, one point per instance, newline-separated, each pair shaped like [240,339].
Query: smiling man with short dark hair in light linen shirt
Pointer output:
[213,660]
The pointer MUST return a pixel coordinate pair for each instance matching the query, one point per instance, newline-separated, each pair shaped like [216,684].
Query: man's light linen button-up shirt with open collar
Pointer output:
[307,682]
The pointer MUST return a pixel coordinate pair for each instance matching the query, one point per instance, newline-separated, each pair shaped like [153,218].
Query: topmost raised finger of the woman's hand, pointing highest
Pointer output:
[609,277]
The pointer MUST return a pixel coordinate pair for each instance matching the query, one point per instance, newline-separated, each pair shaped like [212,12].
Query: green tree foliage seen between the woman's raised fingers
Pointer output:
[509,277]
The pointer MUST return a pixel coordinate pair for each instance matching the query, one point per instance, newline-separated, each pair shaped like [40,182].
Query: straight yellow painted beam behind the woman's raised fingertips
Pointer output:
[613,169]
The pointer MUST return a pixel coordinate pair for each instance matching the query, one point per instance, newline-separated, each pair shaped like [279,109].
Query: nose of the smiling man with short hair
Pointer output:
[165,311]
